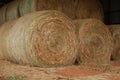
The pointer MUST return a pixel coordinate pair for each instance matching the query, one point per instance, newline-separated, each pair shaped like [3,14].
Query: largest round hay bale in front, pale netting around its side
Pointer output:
[44,39]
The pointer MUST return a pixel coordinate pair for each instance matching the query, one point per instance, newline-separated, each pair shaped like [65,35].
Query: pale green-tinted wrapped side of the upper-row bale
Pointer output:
[27,6]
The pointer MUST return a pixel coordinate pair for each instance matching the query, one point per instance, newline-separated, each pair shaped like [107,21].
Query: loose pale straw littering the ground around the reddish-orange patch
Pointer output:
[35,73]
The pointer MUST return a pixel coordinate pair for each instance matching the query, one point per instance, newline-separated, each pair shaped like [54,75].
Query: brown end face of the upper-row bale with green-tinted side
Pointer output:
[65,6]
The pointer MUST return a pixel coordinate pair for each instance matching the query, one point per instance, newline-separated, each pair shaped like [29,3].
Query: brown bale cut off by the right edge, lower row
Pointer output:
[115,30]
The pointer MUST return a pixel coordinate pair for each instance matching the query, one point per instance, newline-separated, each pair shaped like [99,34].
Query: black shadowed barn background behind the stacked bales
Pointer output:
[111,10]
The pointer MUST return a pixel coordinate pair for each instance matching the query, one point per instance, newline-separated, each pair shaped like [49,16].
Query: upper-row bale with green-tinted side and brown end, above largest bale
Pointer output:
[65,6]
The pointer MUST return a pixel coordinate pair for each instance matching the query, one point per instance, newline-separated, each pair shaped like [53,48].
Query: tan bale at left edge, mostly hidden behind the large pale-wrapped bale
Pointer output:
[3,31]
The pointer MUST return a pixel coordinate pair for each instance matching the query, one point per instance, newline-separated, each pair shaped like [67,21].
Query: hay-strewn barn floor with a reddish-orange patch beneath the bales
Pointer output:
[81,72]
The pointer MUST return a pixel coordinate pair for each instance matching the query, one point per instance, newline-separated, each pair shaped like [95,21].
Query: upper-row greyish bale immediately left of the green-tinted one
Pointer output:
[12,11]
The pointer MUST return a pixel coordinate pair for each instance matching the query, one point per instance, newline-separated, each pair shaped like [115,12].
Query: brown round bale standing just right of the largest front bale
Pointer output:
[95,41]
